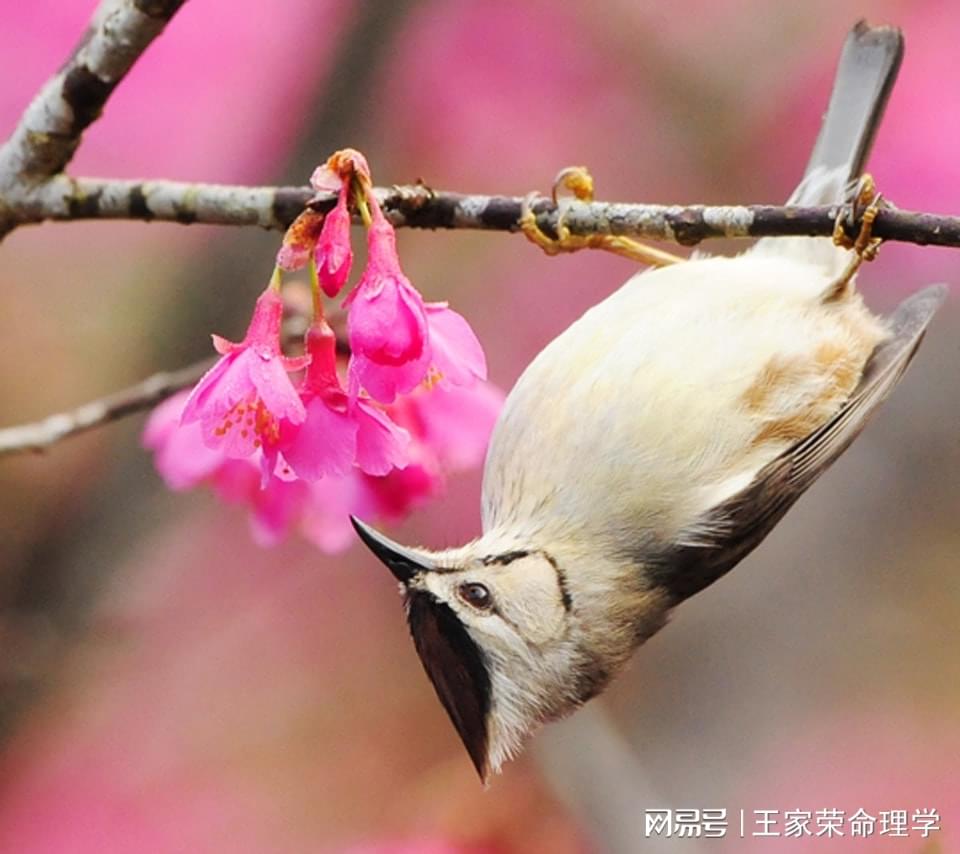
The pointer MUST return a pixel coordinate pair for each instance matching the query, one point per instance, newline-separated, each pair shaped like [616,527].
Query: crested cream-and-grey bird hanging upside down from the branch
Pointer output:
[653,444]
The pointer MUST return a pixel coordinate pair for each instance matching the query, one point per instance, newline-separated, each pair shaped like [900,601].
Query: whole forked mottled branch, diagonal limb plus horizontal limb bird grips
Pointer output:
[33,187]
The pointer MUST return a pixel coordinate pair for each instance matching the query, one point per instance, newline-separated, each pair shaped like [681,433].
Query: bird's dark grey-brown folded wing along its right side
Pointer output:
[739,524]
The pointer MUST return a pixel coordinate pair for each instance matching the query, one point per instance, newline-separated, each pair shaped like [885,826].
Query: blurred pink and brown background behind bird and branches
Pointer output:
[165,685]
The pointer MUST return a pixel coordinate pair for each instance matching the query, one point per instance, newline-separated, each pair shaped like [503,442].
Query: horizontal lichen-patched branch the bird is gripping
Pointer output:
[417,206]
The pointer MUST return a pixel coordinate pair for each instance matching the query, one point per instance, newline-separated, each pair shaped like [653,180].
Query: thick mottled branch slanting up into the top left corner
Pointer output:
[49,131]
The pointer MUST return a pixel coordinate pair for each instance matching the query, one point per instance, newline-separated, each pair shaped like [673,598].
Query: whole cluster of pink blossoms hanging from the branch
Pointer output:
[310,450]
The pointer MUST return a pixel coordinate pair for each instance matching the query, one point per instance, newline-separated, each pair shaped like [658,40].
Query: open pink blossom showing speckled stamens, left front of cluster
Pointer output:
[241,400]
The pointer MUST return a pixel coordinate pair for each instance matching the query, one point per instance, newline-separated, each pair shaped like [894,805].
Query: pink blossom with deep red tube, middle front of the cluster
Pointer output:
[337,433]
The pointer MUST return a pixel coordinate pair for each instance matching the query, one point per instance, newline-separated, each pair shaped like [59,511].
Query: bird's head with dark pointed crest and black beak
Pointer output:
[502,636]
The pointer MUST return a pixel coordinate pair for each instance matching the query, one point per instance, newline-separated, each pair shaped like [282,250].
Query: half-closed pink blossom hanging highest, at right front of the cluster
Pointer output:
[387,323]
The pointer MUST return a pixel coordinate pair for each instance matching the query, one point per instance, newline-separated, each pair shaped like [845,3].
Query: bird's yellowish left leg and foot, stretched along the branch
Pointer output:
[577,181]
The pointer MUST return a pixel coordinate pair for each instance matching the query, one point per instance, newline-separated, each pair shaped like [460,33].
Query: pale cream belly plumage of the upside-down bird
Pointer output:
[687,380]
